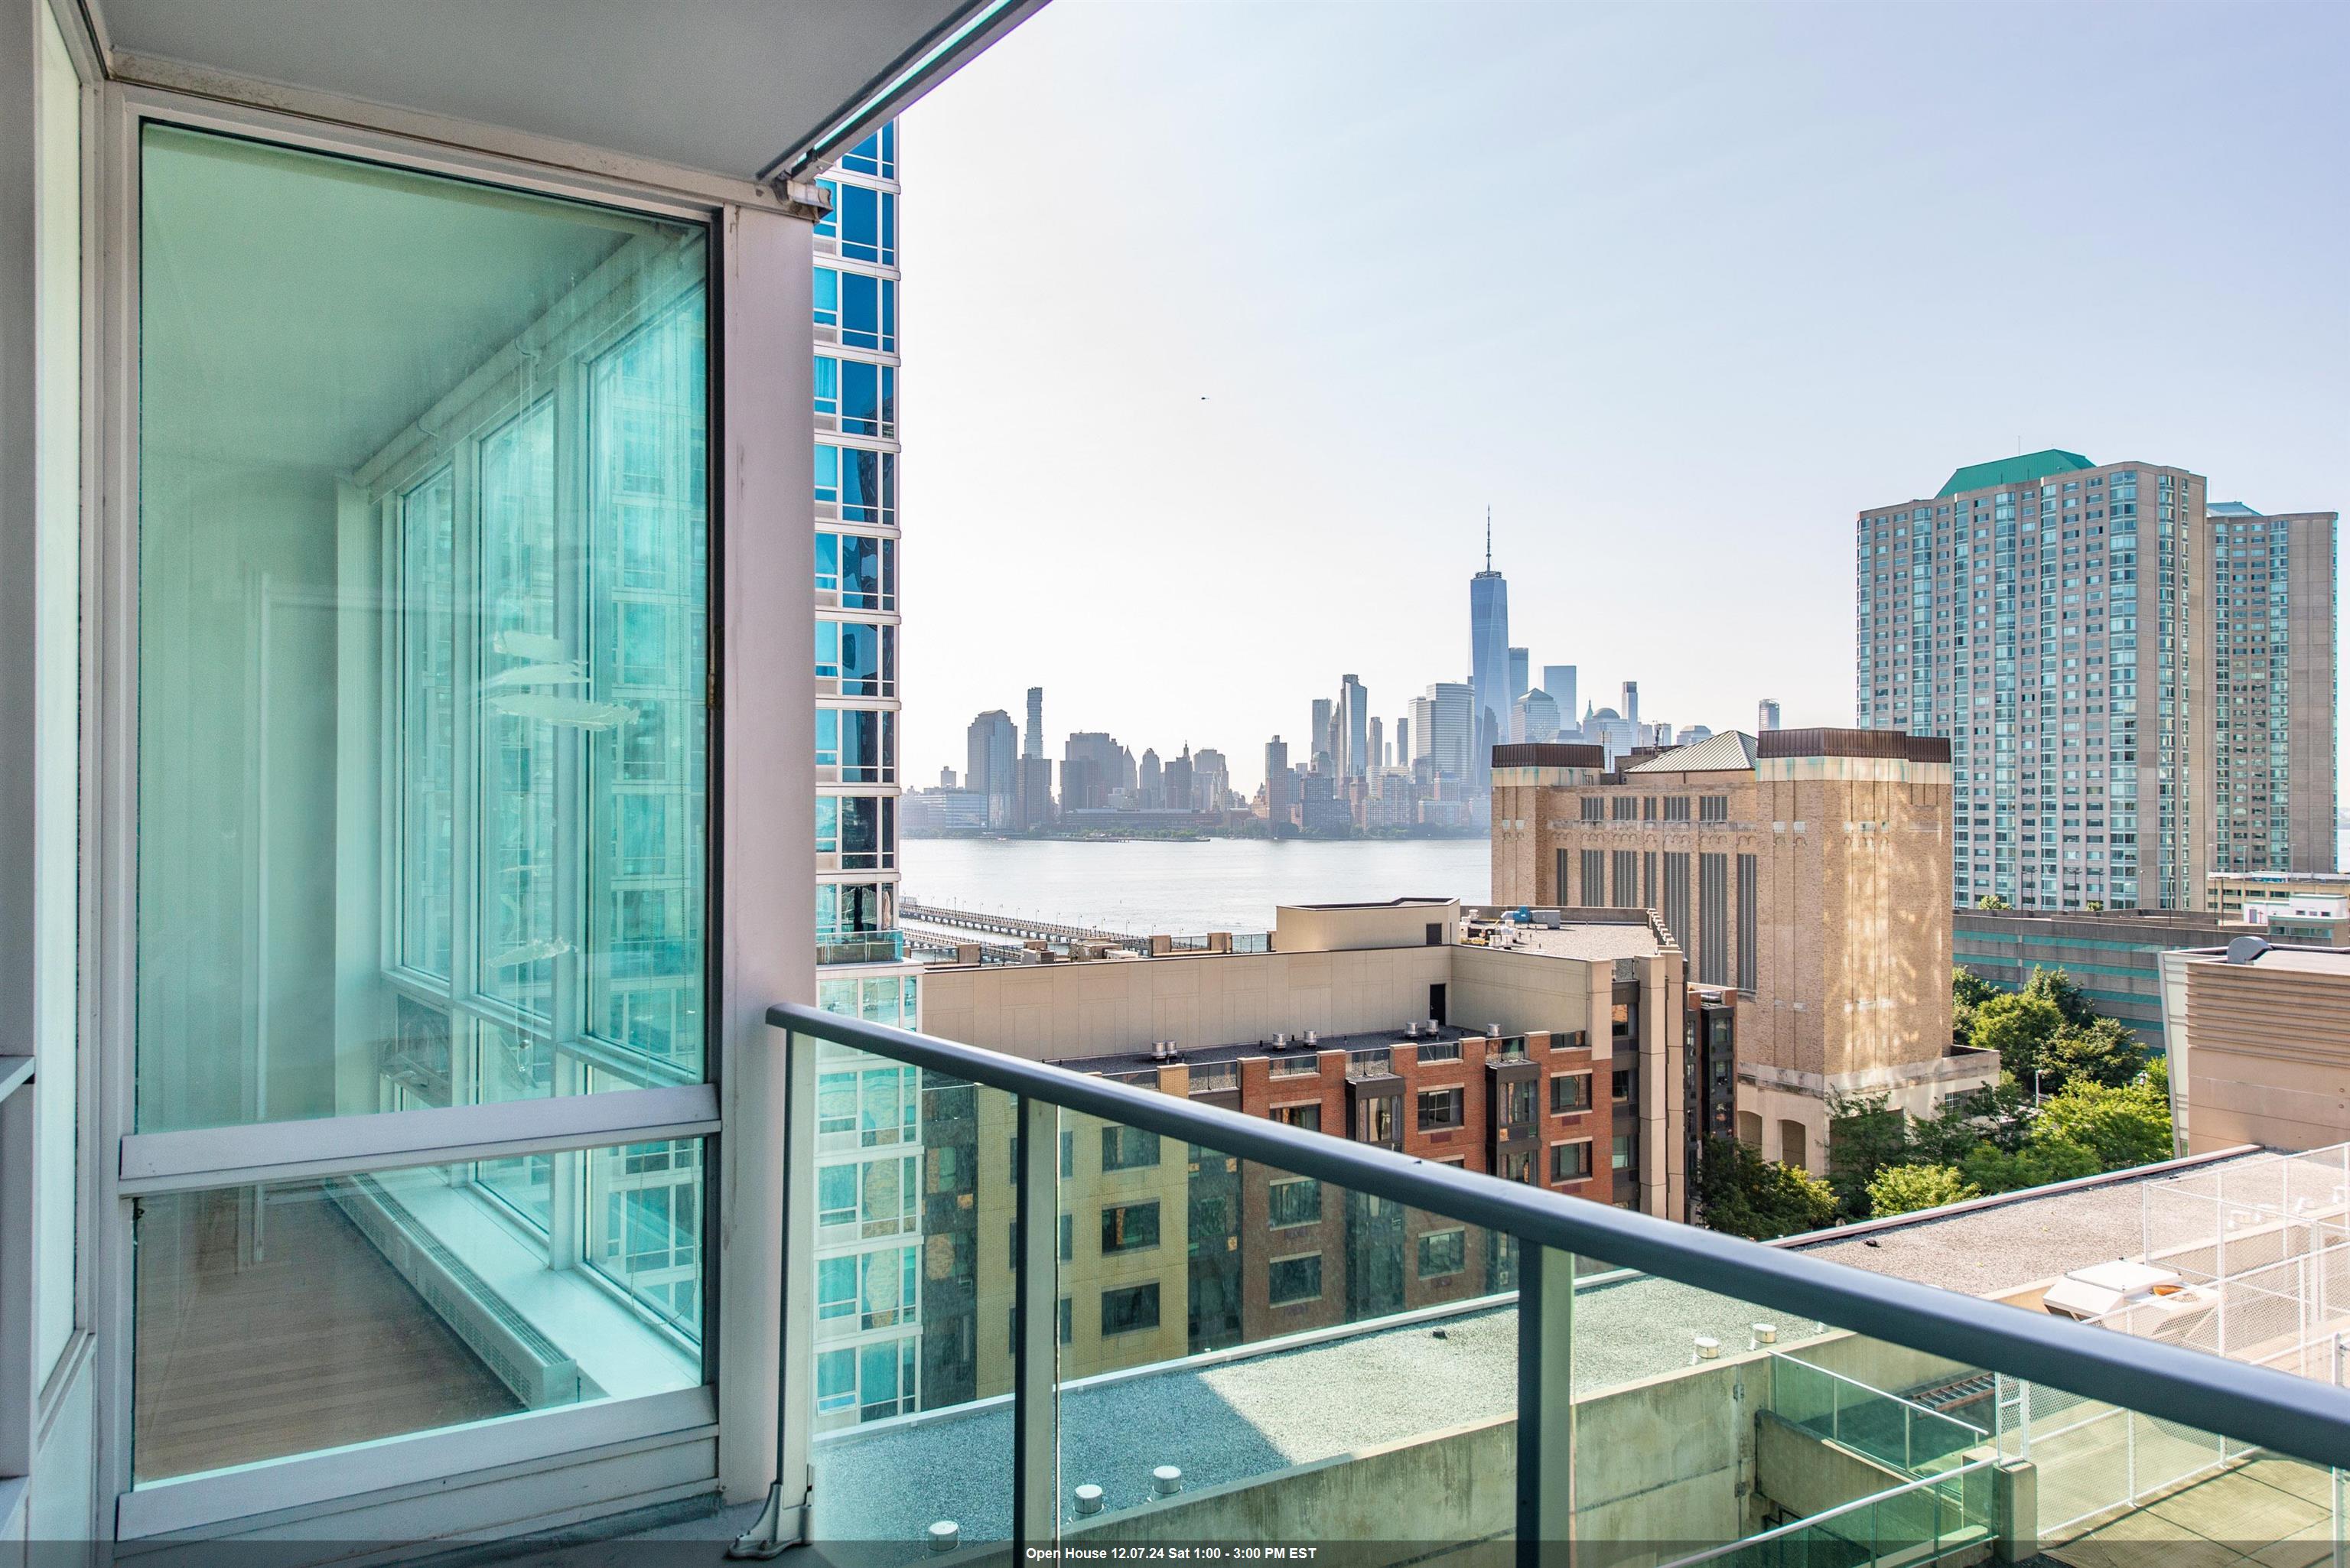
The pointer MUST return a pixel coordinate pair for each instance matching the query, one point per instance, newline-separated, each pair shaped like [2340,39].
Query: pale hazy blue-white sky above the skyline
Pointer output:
[1226,323]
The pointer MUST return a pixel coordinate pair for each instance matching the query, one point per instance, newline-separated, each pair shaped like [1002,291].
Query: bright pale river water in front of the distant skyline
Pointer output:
[1186,885]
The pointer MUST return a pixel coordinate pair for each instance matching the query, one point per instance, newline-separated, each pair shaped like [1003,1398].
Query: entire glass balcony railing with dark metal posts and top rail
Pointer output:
[1127,1320]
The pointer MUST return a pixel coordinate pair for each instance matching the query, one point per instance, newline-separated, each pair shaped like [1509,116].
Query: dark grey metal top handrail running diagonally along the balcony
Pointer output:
[2250,1405]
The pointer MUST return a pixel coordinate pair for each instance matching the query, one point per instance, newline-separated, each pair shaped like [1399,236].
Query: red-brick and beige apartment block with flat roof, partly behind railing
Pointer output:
[1545,1052]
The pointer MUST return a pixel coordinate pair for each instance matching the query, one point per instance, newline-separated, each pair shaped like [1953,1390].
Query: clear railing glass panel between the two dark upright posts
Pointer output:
[1247,1325]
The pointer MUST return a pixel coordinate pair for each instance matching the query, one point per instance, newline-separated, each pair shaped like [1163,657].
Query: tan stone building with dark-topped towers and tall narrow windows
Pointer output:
[1804,871]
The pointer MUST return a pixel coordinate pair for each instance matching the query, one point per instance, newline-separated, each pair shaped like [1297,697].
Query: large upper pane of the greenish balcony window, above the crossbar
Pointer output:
[422,570]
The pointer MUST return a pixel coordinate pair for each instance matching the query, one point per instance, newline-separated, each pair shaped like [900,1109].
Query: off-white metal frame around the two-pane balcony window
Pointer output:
[434,1482]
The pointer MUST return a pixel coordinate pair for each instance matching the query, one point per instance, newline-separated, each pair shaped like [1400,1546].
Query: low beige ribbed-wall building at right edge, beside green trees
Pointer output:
[2260,1045]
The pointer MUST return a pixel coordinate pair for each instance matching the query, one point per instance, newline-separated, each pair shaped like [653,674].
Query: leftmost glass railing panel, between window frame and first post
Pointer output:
[913,1306]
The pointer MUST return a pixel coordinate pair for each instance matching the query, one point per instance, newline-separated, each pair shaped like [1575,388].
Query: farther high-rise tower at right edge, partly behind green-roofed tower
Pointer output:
[2274,704]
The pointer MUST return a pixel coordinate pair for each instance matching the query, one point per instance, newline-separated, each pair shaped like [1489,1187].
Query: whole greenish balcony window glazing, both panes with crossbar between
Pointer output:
[422,1090]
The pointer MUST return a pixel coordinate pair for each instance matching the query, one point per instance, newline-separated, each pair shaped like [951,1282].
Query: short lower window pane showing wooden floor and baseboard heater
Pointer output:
[408,1301]
